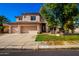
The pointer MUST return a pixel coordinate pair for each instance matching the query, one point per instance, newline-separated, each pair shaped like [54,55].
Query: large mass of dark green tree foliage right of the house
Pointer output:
[60,13]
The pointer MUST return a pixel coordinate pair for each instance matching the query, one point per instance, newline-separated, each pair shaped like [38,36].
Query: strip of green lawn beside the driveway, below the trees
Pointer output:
[46,37]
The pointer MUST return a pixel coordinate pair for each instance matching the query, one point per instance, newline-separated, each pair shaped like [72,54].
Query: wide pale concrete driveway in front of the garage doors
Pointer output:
[19,41]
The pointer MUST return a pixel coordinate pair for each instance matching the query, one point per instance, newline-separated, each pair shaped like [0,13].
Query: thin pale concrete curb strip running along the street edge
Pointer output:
[46,47]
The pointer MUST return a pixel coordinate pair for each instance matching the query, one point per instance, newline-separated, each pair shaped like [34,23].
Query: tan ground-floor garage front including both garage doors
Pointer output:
[21,28]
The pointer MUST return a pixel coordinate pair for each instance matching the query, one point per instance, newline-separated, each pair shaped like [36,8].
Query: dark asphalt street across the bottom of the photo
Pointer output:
[10,52]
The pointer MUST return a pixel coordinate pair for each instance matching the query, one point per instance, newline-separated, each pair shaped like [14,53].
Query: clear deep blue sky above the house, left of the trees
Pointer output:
[10,10]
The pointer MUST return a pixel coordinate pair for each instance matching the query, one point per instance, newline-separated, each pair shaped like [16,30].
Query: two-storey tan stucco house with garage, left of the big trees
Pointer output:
[27,22]
